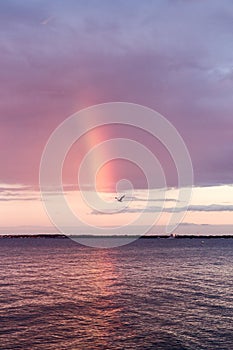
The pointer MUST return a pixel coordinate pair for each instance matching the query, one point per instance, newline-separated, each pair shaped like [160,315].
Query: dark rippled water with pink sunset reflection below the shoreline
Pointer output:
[152,294]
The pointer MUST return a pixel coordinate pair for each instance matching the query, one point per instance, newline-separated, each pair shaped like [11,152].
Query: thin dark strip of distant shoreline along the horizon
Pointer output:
[61,236]
